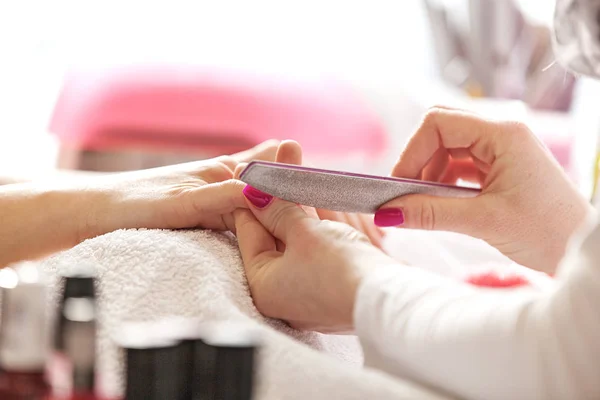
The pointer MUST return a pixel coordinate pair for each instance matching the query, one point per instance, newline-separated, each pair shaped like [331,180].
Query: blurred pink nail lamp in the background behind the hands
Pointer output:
[194,110]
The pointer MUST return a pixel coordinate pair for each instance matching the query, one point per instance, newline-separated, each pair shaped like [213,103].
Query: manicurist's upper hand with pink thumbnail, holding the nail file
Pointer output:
[528,208]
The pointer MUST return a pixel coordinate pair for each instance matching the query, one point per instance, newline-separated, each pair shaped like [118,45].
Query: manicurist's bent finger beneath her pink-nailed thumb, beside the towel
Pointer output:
[257,246]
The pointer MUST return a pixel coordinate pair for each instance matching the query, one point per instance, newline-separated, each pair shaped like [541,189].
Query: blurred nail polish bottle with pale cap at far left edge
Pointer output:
[24,335]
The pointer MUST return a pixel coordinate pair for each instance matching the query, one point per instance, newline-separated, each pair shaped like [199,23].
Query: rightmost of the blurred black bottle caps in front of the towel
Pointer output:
[225,361]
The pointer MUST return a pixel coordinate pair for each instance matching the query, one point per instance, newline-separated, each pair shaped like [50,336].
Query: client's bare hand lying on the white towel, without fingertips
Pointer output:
[196,194]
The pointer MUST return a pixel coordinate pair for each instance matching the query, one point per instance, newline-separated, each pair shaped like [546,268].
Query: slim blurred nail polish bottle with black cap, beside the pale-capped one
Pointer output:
[72,368]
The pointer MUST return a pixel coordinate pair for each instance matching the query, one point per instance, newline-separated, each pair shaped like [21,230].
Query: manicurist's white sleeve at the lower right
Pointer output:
[488,343]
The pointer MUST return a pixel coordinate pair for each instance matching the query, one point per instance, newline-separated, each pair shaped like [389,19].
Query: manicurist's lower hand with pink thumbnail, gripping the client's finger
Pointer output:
[301,269]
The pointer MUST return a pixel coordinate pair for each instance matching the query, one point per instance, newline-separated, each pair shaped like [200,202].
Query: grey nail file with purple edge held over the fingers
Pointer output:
[339,191]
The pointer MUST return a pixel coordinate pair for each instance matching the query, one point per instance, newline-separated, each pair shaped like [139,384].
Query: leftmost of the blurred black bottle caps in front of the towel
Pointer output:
[155,367]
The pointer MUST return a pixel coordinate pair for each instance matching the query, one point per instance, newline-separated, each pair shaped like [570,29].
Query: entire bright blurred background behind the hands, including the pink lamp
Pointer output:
[110,86]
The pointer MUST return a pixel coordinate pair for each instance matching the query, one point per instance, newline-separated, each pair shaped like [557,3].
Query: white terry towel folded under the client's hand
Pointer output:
[146,275]
